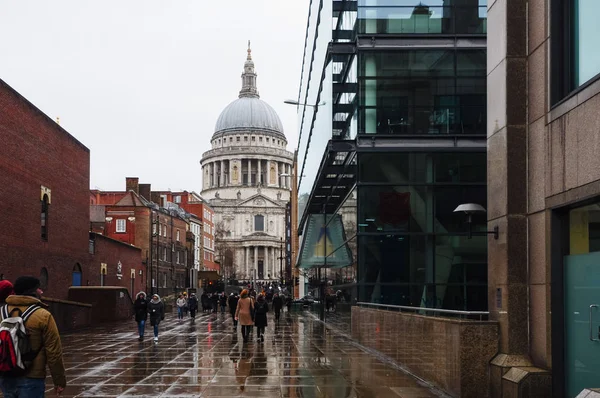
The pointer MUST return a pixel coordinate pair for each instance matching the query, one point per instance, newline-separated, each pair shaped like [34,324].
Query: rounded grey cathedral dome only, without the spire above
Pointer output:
[247,113]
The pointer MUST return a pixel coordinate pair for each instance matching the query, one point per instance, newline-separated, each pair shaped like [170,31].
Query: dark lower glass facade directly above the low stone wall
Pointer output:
[413,249]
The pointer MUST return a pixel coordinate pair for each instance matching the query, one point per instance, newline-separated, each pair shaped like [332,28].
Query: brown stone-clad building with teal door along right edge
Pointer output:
[544,191]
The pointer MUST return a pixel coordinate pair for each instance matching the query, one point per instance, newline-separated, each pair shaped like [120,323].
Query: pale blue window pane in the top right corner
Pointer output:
[587,31]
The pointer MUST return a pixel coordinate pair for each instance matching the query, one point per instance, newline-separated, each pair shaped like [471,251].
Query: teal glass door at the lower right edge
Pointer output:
[582,322]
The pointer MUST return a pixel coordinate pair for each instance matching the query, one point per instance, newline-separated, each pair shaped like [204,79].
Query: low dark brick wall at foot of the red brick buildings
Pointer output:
[109,303]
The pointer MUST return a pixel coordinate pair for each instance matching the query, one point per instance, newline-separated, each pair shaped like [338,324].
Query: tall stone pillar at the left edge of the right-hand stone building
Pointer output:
[508,295]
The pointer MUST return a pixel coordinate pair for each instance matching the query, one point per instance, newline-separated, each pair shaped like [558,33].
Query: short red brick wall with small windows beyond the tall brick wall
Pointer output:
[110,252]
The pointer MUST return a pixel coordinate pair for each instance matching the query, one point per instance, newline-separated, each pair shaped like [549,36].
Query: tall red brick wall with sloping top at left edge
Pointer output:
[35,152]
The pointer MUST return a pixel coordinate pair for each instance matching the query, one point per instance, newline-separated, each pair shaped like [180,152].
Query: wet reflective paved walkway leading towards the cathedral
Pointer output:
[299,358]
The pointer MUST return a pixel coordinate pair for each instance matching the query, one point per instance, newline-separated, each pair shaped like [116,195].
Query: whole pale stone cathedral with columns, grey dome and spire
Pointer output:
[247,178]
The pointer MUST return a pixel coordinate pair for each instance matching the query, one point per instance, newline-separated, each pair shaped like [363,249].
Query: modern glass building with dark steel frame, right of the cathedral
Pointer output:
[392,121]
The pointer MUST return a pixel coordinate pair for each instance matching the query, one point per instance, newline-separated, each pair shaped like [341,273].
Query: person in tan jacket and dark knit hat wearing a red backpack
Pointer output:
[43,338]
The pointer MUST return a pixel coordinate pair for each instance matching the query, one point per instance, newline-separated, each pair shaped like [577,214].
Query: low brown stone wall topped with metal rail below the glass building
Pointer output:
[452,354]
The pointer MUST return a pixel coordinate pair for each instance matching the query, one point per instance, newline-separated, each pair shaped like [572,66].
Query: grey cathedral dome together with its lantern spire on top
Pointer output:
[249,112]
